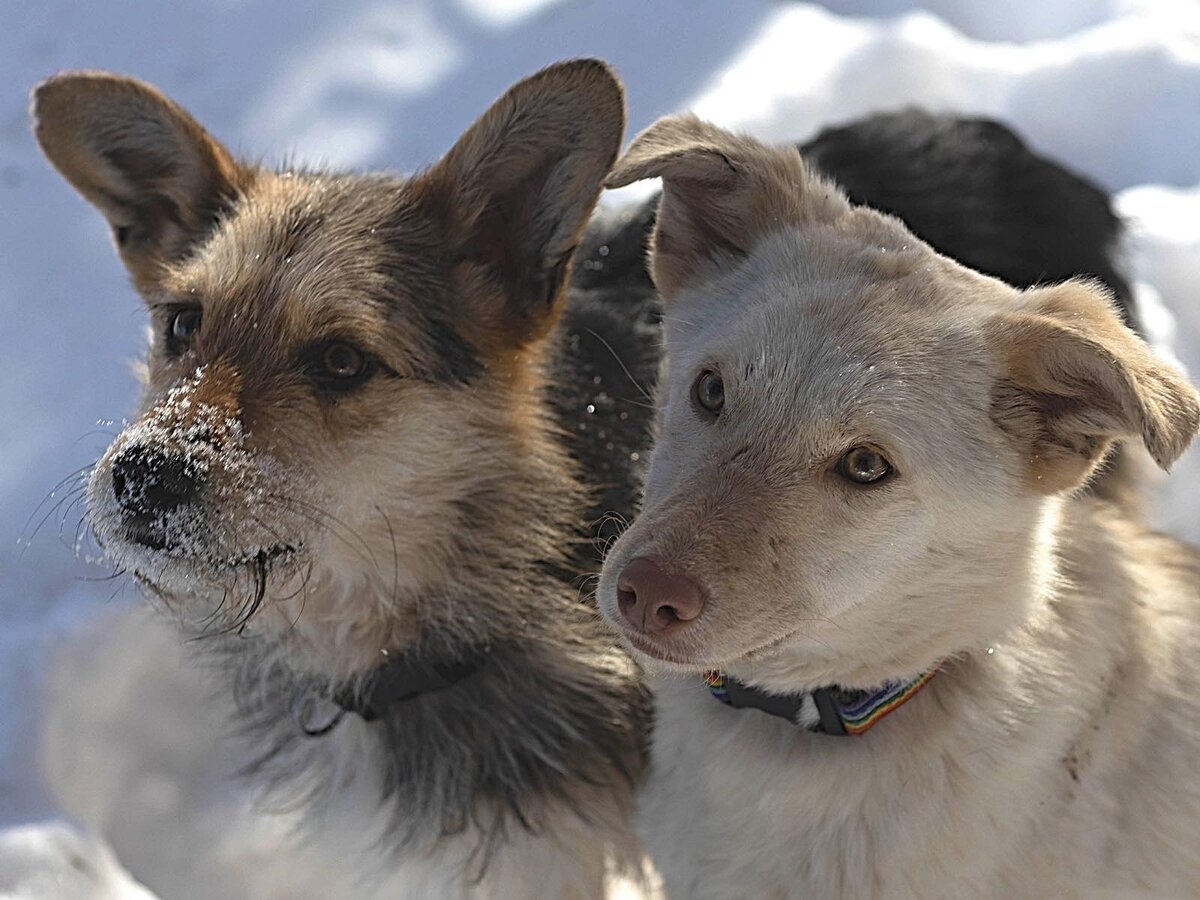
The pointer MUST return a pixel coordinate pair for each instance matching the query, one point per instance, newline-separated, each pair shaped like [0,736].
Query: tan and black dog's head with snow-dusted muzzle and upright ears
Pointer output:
[344,374]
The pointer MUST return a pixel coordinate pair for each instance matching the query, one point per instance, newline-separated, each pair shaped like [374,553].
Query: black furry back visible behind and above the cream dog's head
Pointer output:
[975,191]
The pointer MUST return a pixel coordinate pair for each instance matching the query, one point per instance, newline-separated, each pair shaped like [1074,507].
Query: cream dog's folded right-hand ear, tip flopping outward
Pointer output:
[1076,380]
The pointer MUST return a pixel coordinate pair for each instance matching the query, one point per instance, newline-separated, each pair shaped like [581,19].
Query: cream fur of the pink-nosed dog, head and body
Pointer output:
[1051,755]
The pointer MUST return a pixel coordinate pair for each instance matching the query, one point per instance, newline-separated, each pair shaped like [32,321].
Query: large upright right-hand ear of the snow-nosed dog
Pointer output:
[517,193]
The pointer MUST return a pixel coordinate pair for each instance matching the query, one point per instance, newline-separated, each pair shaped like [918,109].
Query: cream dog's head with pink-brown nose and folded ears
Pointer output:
[860,441]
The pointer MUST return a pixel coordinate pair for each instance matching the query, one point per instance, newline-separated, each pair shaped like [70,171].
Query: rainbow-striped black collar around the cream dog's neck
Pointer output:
[826,711]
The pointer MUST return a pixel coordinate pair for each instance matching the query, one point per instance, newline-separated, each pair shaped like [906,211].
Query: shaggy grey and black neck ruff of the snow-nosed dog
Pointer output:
[543,718]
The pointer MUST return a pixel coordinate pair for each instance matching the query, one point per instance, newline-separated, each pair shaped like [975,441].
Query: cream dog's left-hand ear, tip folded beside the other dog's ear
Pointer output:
[722,193]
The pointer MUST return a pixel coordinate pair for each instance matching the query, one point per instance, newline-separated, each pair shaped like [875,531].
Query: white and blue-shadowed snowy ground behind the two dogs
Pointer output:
[99,721]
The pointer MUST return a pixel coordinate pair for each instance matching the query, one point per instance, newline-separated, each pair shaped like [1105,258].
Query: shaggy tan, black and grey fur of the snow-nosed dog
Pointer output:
[435,511]
